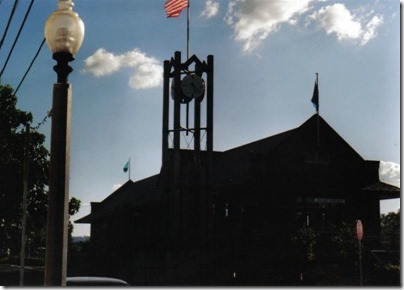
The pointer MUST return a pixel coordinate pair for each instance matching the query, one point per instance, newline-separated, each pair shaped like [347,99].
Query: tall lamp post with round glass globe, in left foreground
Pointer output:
[64,33]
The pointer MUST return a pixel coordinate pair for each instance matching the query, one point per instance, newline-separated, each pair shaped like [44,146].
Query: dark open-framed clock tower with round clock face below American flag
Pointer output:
[186,173]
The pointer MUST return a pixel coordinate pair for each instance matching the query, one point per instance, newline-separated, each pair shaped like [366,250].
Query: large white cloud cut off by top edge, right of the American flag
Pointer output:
[254,20]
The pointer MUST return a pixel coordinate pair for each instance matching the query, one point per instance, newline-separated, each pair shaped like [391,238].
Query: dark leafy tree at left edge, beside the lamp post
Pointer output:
[12,146]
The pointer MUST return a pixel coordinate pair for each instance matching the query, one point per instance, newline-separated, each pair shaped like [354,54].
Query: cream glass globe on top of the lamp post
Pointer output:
[64,30]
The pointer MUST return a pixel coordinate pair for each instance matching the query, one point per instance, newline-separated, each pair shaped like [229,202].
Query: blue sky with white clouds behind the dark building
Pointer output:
[266,56]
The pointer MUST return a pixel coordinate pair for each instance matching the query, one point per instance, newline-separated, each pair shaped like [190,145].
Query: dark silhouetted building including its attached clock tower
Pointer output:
[227,218]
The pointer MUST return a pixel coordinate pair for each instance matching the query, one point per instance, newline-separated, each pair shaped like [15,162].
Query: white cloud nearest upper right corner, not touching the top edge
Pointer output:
[337,19]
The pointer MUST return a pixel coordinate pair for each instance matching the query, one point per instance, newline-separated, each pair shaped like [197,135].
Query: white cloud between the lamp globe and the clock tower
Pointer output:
[148,72]
